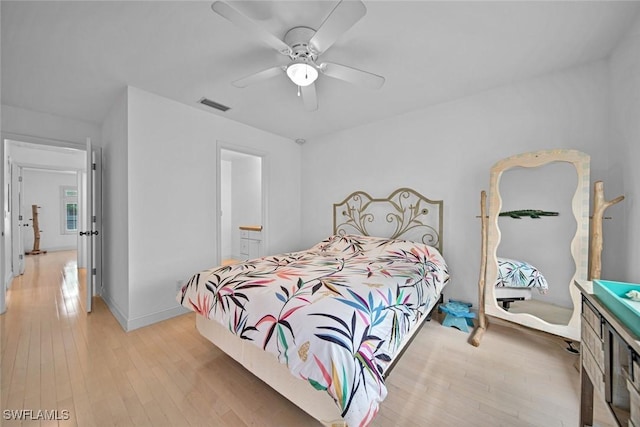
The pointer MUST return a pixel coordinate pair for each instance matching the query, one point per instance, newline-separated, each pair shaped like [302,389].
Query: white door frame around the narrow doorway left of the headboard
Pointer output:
[264,158]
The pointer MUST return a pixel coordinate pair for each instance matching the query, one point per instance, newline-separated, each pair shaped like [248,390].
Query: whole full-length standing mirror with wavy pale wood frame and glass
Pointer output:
[538,240]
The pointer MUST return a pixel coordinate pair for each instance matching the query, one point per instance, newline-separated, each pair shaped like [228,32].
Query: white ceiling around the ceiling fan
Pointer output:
[74,58]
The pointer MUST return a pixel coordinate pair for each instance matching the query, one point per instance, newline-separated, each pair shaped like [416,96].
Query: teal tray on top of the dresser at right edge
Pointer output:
[612,295]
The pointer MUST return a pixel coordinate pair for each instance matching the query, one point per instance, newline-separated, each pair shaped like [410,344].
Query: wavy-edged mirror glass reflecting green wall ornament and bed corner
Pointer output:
[537,225]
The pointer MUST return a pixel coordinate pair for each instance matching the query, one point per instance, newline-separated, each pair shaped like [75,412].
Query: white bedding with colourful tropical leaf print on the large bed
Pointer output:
[335,314]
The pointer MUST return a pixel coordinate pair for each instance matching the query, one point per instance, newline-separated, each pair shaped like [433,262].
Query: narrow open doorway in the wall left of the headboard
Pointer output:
[241,200]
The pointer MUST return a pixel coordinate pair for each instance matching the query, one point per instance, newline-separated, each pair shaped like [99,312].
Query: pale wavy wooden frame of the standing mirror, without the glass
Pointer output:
[579,243]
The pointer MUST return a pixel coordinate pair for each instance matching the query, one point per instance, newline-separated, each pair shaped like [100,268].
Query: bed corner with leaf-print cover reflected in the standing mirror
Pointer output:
[516,280]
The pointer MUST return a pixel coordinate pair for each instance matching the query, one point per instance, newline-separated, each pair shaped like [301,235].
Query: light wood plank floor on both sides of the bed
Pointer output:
[56,357]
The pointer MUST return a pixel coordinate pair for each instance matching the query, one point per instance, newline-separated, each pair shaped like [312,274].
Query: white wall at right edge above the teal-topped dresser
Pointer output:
[622,234]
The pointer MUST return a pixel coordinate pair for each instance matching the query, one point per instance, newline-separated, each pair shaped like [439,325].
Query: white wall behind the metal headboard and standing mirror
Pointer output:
[445,152]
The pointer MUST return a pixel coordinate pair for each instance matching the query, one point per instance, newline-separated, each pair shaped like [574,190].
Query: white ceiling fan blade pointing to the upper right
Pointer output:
[341,18]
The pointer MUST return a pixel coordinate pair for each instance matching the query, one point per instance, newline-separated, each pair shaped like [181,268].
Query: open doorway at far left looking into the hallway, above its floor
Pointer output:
[44,186]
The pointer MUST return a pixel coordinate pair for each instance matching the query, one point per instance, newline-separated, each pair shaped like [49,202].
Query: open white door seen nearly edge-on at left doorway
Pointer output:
[92,244]
